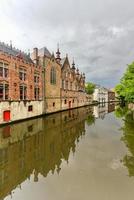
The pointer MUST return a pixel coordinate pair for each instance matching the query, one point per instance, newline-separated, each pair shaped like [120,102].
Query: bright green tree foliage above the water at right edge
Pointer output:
[126,87]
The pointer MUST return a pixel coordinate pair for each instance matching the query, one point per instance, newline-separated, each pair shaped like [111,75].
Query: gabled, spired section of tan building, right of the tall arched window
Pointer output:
[72,85]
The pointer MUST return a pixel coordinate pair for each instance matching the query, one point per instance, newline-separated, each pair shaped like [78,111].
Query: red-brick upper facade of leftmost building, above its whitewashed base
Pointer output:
[14,79]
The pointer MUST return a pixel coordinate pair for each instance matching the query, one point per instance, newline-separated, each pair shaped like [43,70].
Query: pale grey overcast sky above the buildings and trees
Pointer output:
[99,34]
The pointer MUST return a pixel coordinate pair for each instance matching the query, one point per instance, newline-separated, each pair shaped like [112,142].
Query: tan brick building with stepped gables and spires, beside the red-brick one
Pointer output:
[63,85]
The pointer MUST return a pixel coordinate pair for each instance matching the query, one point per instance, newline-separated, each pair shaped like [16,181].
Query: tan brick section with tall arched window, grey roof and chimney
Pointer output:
[51,78]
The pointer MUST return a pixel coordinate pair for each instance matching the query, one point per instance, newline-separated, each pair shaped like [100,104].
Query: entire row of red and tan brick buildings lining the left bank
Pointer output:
[36,85]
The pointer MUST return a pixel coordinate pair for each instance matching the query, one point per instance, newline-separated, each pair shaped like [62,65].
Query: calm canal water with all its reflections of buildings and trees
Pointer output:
[82,154]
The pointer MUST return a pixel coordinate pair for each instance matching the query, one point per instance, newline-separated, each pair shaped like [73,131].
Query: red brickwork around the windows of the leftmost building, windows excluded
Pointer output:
[13,79]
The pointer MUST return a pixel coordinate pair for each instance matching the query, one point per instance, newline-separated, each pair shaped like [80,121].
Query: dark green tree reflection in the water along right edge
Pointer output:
[128,136]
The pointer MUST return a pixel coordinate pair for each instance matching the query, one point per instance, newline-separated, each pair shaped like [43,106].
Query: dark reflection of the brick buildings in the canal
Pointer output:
[38,146]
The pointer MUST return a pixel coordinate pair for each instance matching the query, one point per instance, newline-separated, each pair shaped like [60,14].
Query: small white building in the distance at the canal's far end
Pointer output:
[100,94]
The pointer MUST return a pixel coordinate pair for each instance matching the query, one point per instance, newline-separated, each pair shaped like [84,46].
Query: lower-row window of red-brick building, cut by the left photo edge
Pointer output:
[4,91]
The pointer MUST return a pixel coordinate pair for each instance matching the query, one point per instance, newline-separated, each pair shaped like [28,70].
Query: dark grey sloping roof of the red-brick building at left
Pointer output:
[14,52]
